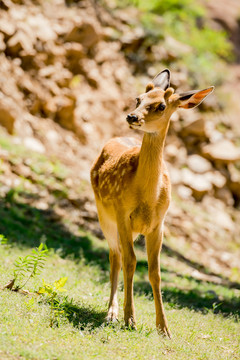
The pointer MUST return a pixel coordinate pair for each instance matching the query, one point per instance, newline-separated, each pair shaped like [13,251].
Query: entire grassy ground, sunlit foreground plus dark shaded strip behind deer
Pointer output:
[203,316]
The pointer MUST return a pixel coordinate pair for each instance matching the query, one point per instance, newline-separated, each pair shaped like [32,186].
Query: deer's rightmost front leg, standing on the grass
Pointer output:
[154,245]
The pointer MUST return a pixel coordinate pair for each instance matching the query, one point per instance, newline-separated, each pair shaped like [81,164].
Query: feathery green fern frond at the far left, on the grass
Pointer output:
[29,266]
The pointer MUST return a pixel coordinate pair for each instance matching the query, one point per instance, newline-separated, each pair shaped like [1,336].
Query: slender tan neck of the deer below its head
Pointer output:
[150,166]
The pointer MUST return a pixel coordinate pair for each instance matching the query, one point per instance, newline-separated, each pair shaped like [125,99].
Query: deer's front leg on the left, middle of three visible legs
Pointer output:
[129,265]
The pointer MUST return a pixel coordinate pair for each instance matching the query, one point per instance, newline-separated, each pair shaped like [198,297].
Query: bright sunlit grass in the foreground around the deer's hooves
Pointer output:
[198,332]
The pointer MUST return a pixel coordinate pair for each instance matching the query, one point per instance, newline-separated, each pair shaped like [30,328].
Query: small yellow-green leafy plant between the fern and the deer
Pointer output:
[52,292]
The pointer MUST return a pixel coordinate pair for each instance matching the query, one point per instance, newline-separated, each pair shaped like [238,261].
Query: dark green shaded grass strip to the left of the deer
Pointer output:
[24,225]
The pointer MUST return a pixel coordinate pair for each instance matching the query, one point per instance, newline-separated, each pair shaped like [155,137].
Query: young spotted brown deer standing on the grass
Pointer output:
[132,190]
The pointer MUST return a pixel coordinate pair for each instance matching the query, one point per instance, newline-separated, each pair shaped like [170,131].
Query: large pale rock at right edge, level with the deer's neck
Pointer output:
[222,151]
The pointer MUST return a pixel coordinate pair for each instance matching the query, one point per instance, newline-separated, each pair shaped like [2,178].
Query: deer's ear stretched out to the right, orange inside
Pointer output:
[191,99]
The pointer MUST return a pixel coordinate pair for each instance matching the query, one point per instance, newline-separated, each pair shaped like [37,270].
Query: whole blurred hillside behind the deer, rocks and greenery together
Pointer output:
[70,72]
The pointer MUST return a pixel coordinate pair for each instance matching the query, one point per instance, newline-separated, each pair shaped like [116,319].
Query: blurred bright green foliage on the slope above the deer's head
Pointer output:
[188,23]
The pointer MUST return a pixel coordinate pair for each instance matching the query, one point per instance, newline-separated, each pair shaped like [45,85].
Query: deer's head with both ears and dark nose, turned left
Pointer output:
[156,105]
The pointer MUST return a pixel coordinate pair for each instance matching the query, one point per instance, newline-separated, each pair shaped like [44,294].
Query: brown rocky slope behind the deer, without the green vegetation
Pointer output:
[67,78]
